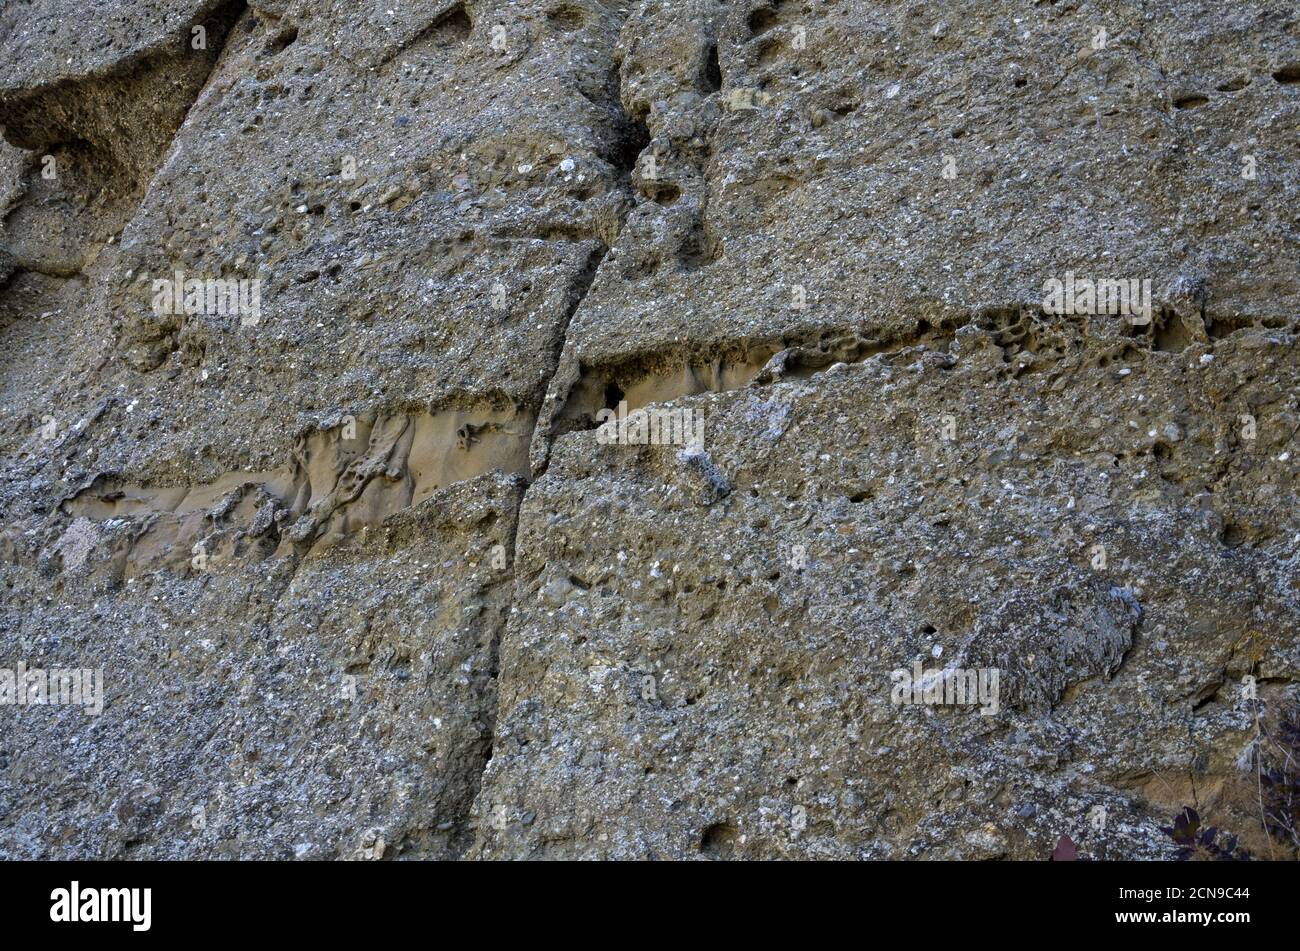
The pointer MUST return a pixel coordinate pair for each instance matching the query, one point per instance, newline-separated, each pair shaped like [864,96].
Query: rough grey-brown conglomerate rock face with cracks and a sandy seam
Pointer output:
[314,320]
